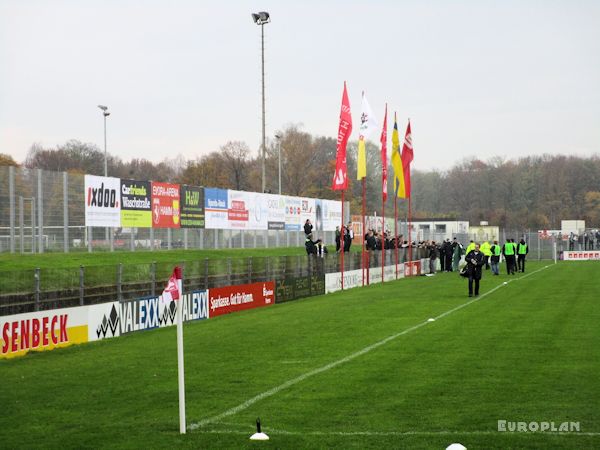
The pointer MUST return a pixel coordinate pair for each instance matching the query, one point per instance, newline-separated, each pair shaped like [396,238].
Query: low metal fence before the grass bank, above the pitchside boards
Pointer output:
[41,289]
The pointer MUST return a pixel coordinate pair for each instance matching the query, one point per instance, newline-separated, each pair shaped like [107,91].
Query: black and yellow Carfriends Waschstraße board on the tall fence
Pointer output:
[136,208]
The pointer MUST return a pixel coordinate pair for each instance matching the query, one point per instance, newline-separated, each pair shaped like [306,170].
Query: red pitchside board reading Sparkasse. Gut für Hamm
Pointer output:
[237,298]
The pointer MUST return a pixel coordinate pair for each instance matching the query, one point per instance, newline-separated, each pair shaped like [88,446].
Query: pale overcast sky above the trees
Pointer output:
[476,78]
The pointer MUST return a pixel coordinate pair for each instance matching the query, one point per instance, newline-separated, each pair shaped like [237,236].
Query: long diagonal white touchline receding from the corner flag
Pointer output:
[325,368]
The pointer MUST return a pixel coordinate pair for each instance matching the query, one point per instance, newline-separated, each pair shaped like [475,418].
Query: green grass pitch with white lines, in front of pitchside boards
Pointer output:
[356,369]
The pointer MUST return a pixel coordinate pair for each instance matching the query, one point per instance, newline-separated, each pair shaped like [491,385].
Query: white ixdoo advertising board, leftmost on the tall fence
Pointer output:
[102,201]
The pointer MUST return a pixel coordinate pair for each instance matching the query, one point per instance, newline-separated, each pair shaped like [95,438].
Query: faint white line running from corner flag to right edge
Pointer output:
[402,433]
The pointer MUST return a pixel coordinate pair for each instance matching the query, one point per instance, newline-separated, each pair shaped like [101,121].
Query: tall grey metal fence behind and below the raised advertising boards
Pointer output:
[44,211]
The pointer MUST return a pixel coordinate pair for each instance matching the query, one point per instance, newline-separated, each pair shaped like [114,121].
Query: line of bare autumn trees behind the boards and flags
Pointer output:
[533,192]
